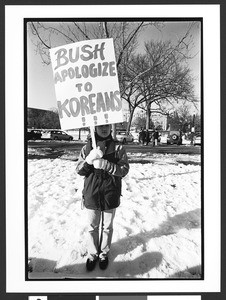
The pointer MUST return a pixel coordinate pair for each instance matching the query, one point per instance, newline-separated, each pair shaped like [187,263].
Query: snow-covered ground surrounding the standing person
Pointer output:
[157,228]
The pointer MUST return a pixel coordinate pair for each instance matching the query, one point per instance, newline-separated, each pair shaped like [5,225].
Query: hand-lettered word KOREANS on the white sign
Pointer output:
[91,104]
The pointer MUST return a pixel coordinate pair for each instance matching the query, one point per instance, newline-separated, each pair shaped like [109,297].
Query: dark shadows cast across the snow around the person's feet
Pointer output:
[128,268]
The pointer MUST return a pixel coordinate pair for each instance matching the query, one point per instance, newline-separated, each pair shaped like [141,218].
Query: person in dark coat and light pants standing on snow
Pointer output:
[103,167]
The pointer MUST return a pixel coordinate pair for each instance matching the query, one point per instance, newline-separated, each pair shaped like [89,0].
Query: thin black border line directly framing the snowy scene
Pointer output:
[26,142]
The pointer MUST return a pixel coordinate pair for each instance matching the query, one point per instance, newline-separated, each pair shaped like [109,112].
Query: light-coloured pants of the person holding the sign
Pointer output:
[99,241]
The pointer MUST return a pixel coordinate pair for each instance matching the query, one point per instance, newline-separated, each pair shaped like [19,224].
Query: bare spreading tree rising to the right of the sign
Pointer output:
[159,79]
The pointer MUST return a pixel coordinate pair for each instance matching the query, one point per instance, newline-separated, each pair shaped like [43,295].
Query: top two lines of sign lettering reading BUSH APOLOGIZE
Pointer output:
[85,53]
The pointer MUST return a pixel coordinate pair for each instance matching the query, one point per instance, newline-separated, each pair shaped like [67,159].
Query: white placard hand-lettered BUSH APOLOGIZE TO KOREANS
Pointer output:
[86,84]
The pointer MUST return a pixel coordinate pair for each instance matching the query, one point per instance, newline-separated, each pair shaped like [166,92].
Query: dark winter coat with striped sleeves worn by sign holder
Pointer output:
[102,188]
